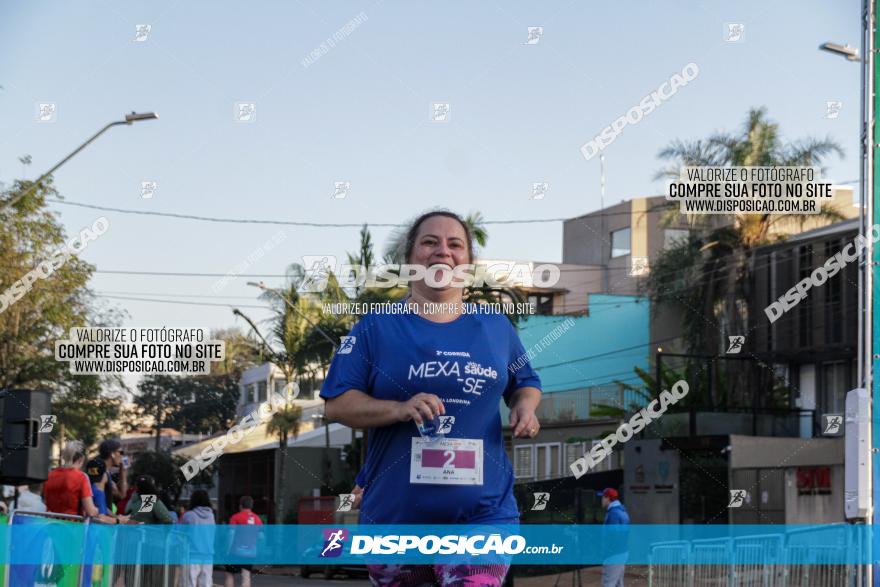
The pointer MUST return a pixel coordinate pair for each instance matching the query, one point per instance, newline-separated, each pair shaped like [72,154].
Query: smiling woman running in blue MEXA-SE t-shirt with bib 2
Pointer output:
[428,386]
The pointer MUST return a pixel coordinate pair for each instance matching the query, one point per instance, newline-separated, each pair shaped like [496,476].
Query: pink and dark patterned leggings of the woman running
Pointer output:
[432,575]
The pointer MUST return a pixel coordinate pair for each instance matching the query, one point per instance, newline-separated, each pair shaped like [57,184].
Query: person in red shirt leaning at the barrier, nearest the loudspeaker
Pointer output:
[68,490]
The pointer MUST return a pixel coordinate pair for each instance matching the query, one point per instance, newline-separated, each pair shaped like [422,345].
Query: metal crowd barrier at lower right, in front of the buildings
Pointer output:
[755,561]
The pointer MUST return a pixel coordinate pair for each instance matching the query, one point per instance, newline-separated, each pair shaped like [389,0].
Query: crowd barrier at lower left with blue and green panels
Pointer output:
[137,545]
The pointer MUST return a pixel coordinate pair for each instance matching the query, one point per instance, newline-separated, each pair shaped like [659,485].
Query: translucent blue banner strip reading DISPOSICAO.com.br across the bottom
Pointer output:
[64,542]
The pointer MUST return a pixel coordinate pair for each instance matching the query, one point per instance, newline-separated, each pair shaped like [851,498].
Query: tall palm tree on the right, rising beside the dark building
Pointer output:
[708,275]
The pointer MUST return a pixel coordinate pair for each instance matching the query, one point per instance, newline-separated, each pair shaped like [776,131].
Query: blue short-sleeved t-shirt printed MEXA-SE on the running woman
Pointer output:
[464,363]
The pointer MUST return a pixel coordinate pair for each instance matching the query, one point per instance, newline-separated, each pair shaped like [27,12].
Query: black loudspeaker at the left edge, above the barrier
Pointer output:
[25,443]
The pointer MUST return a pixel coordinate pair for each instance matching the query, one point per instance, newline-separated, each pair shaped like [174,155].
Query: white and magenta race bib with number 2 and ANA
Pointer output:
[446,461]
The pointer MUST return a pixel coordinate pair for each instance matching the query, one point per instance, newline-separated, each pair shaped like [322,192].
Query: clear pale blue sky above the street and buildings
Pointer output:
[360,113]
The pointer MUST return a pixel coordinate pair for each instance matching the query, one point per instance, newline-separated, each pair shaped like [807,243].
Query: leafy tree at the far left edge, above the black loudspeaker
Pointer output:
[29,326]
